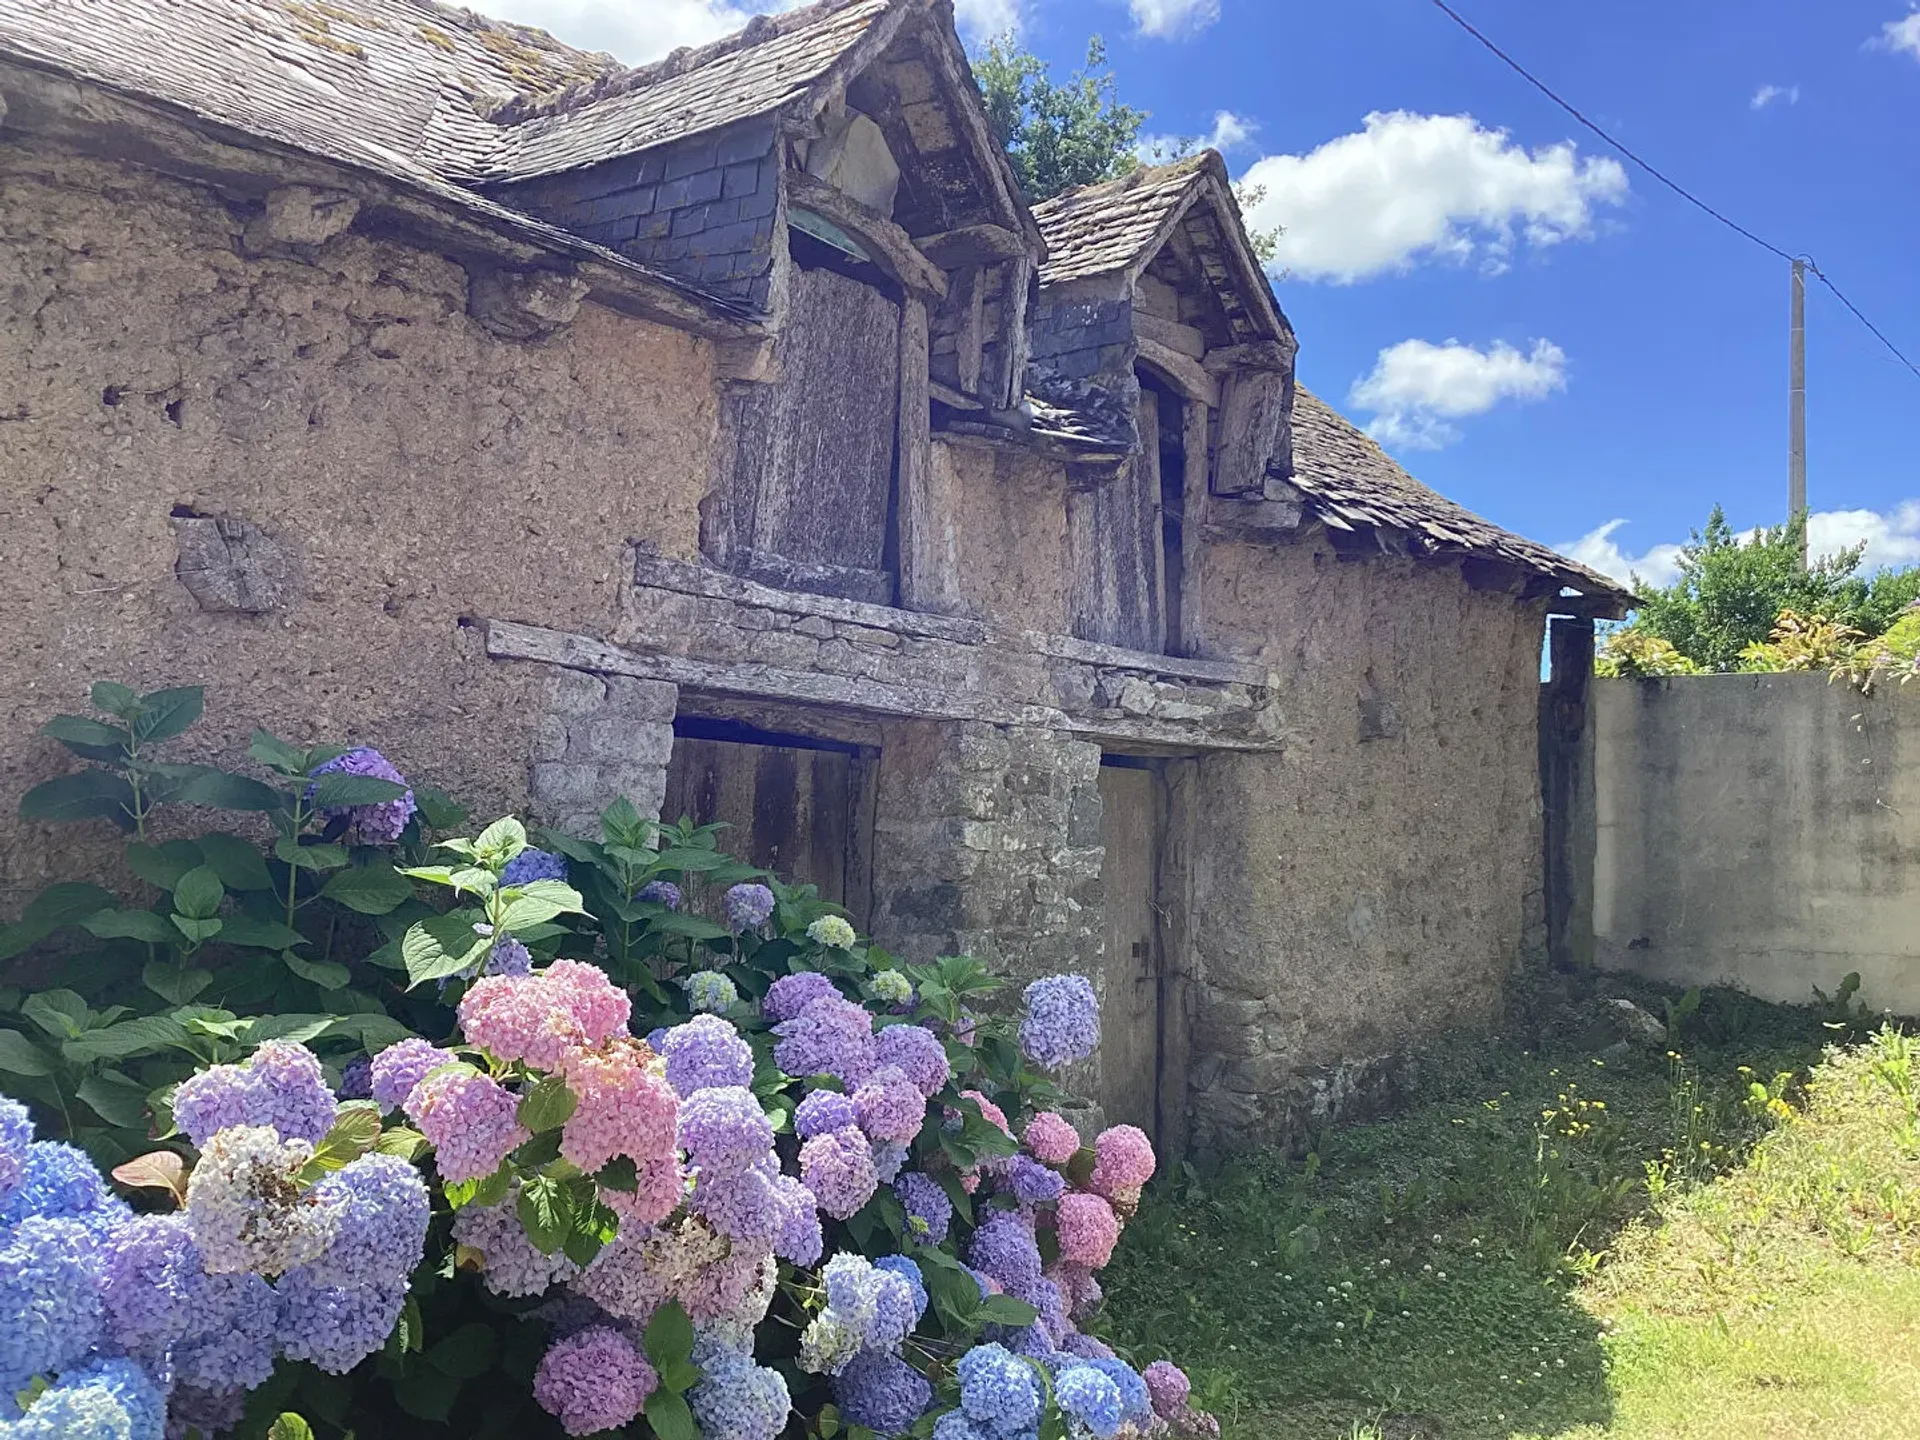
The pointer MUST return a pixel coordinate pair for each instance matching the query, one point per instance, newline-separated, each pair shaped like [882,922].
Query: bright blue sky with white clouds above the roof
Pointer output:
[1533,329]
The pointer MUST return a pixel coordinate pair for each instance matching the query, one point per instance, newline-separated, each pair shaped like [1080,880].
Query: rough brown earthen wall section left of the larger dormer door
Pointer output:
[408,468]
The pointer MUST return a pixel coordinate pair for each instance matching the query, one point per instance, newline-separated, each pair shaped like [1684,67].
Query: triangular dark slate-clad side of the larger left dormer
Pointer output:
[704,210]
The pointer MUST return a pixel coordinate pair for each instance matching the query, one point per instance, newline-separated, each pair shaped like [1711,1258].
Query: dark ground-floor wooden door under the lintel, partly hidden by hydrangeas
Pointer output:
[802,813]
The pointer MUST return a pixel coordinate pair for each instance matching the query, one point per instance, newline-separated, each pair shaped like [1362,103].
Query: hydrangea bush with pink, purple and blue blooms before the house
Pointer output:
[665,1147]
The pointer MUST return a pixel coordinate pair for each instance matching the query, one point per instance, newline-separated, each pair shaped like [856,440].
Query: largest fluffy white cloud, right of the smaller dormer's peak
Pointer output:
[1426,187]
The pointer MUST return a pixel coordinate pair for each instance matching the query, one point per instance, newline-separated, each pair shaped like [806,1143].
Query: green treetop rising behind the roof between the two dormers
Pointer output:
[1057,135]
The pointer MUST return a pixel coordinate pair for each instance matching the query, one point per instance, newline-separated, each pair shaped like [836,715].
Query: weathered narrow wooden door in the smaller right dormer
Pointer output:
[1115,548]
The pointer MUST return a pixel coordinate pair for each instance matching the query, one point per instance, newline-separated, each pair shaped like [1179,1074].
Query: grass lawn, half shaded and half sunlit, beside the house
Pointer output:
[1566,1241]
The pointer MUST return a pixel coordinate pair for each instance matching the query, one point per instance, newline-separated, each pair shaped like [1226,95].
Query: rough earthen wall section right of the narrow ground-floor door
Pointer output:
[1380,880]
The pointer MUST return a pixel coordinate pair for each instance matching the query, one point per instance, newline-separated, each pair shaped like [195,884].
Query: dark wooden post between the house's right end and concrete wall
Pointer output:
[1568,792]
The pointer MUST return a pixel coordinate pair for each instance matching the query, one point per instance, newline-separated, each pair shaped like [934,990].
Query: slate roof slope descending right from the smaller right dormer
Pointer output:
[1351,483]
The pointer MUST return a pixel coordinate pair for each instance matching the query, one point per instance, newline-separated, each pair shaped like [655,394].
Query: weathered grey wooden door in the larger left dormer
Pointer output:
[811,487]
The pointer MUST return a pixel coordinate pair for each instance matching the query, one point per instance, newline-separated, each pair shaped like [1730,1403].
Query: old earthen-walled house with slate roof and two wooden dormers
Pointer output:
[731,435]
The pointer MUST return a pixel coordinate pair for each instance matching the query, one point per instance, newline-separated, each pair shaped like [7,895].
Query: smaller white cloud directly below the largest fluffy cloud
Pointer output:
[1416,389]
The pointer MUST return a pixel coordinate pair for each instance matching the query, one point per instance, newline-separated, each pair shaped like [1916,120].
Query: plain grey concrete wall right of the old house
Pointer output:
[1760,832]
